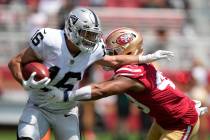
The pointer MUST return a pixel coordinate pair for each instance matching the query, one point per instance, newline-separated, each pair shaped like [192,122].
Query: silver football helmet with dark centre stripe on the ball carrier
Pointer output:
[83,28]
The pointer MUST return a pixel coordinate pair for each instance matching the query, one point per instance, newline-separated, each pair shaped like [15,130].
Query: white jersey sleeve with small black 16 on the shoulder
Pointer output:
[38,42]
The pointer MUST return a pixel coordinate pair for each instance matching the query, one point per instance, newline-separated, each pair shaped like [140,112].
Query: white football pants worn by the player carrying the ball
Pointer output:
[35,122]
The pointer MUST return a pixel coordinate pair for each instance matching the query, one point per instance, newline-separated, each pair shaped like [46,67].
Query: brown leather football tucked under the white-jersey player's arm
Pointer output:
[40,69]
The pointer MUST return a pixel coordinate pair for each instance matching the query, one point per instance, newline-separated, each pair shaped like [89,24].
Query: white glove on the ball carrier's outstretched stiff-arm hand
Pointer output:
[160,54]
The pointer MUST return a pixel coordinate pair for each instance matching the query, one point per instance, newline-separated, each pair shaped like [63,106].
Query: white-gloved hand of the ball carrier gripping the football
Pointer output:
[31,84]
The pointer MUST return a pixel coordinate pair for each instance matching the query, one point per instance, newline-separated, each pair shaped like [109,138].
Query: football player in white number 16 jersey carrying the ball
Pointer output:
[66,53]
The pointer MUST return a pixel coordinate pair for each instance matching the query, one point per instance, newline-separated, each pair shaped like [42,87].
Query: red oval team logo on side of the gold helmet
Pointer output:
[124,39]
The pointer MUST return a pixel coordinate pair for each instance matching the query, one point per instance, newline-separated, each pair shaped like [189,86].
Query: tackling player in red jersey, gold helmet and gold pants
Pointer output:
[176,115]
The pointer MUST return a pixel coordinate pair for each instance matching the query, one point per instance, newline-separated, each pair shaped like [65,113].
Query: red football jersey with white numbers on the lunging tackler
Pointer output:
[161,99]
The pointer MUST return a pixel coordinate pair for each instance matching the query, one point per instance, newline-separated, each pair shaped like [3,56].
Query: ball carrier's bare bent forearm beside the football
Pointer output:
[15,68]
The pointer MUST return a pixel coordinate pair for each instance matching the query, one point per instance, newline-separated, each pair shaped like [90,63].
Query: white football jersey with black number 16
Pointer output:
[65,70]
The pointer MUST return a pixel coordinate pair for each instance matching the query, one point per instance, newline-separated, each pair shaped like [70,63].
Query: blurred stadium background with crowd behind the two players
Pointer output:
[182,26]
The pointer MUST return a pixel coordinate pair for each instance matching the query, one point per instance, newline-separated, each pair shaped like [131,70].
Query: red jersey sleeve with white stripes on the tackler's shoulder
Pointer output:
[132,71]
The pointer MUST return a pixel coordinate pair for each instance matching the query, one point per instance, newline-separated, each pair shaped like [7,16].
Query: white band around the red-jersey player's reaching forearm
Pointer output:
[83,93]
